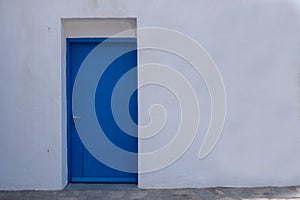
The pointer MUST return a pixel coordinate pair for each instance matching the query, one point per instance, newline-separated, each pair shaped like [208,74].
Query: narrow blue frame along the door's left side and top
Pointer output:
[69,97]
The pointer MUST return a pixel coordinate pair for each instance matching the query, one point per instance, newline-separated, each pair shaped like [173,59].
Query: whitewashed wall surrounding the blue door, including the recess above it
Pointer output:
[236,115]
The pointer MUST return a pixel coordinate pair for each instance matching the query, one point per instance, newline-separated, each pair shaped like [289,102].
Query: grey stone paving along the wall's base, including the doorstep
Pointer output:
[83,192]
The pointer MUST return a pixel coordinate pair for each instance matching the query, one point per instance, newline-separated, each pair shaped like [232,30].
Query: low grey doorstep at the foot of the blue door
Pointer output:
[100,186]
